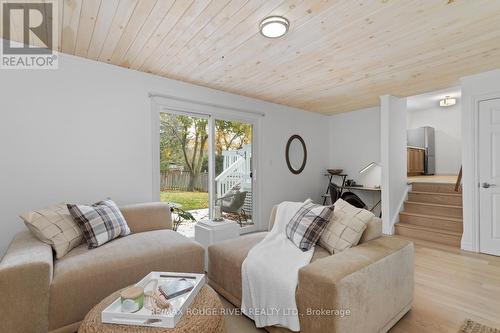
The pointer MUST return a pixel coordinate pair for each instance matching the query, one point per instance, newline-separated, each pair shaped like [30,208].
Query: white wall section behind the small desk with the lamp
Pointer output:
[354,143]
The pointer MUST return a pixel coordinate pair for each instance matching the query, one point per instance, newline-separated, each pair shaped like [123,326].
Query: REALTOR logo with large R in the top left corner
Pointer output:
[30,34]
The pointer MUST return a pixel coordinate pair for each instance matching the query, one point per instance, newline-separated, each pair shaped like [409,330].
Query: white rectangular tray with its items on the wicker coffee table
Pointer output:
[158,300]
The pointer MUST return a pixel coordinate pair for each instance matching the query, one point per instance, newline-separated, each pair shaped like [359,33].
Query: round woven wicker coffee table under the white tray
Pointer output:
[205,317]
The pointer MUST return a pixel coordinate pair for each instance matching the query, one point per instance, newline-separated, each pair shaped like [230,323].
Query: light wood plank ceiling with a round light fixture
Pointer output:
[338,55]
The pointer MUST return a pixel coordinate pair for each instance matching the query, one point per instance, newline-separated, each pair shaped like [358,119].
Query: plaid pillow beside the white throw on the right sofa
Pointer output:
[305,228]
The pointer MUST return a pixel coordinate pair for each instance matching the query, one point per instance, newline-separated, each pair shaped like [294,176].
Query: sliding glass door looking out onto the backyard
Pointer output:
[206,169]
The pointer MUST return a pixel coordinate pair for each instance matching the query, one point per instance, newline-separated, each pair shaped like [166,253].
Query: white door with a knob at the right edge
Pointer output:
[489,176]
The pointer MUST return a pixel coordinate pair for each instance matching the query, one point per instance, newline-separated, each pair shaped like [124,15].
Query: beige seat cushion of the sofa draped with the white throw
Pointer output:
[225,260]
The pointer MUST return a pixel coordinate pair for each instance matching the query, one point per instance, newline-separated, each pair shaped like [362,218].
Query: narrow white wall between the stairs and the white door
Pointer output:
[474,88]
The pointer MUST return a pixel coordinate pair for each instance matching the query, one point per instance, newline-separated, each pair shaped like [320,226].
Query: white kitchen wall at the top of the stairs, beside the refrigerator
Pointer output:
[448,133]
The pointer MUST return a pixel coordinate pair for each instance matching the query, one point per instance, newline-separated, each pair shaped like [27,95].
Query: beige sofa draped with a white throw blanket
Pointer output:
[373,280]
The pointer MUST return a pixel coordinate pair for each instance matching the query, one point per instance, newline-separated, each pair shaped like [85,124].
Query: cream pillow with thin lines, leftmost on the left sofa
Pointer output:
[54,226]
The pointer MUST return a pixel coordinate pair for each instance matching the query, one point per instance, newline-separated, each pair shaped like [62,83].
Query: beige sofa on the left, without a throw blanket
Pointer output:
[40,294]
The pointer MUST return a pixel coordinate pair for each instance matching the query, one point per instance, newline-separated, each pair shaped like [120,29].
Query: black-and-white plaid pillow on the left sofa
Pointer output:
[100,222]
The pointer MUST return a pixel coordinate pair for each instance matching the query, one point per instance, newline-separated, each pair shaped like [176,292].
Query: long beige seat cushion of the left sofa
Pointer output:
[84,277]
